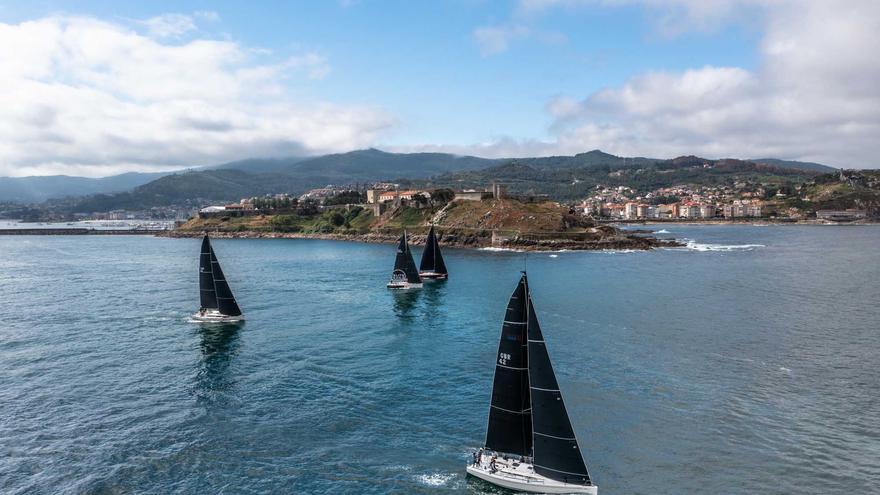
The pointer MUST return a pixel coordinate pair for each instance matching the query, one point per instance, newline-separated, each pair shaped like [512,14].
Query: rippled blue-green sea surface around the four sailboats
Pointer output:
[748,362]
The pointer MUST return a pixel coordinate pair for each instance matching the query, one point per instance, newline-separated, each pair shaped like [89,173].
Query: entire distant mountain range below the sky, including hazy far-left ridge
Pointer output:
[253,177]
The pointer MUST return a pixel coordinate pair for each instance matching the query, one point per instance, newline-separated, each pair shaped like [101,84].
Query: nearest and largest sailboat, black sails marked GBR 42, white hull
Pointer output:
[530,444]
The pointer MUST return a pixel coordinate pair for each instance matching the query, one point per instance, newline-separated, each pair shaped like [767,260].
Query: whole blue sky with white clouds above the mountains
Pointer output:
[96,88]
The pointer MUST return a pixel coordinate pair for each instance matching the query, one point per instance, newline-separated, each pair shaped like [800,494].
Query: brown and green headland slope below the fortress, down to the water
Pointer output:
[499,223]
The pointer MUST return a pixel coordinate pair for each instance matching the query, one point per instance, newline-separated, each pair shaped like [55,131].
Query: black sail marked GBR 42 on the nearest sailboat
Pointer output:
[510,421]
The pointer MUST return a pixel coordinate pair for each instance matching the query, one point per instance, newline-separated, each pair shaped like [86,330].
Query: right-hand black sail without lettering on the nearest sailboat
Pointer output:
[556,451]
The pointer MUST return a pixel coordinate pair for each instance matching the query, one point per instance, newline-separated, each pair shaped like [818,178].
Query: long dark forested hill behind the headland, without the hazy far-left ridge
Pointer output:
[562,177]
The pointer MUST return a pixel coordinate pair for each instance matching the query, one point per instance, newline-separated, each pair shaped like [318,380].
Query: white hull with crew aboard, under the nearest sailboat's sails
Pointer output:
[521,476]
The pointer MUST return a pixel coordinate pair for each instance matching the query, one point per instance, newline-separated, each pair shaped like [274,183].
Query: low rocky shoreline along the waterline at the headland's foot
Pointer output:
[456,240]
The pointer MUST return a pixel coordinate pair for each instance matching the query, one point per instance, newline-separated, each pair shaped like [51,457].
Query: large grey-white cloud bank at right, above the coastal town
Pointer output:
[815,95]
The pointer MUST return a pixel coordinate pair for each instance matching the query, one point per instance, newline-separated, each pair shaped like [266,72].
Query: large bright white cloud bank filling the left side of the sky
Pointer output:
[84,96]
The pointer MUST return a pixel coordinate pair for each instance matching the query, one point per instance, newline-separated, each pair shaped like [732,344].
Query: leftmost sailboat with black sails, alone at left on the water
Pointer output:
[217,302]
